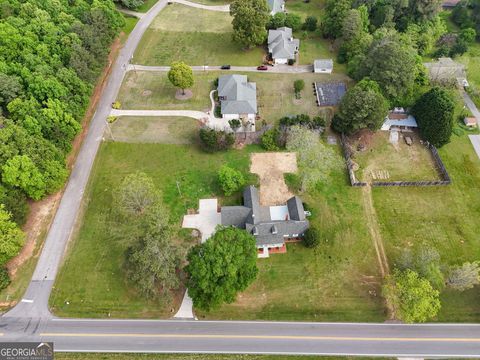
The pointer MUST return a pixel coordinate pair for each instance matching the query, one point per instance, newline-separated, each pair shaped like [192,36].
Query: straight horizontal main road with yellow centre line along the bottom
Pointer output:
[249,337]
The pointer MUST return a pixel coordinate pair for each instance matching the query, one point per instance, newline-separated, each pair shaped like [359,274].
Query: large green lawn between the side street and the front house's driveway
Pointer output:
[92,282]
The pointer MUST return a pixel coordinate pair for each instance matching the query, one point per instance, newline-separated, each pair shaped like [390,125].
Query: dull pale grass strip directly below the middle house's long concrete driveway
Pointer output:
[166,130]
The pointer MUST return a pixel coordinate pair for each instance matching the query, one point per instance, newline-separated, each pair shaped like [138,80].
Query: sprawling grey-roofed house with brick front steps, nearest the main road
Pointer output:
[272,226]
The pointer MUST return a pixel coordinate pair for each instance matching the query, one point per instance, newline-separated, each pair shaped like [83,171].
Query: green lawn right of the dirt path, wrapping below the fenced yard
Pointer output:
[445,218]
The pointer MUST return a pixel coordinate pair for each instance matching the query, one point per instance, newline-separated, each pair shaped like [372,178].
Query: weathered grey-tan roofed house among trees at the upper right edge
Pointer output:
[447,71]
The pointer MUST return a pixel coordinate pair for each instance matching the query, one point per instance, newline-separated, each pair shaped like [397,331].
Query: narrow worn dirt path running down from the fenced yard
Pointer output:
[374,228]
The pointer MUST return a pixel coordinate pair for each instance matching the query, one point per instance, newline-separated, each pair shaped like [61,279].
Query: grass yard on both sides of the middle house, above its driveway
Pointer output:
[275,94]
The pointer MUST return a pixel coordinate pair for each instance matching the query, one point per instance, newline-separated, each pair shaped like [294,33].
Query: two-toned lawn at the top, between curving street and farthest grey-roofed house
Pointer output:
[196,36]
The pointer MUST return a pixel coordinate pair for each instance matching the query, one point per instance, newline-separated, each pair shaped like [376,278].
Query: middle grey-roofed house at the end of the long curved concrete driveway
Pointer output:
[238,97]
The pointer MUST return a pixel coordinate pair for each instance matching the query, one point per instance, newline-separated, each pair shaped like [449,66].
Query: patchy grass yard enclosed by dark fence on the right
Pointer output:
[402,162]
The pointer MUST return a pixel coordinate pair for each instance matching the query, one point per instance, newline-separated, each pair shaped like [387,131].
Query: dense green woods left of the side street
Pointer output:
[51,53]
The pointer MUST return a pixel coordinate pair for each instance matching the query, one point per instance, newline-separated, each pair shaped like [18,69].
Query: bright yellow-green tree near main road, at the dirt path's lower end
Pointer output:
[412,298]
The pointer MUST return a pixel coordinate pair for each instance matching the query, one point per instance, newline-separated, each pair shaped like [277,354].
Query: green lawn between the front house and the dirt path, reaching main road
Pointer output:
[339,281]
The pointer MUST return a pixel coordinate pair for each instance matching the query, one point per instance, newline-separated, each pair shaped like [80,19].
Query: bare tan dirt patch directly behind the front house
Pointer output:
[270,168]
